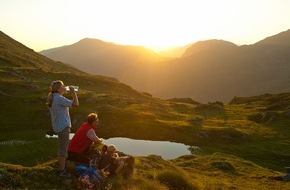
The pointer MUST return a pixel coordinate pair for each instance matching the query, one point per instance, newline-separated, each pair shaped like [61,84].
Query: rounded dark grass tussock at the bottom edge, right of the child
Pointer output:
[174,180]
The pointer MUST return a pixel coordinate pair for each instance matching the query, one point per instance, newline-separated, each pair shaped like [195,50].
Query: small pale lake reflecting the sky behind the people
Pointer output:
[167,150]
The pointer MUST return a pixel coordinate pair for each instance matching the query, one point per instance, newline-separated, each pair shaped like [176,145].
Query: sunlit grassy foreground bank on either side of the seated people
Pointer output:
[216,171]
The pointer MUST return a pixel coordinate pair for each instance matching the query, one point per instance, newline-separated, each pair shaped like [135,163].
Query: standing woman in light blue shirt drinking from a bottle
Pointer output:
[60,119]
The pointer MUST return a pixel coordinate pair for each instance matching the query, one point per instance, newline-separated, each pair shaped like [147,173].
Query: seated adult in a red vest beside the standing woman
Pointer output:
[78,148]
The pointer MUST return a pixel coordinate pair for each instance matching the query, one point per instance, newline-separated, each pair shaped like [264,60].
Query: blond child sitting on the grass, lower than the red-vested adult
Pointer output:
[114,164]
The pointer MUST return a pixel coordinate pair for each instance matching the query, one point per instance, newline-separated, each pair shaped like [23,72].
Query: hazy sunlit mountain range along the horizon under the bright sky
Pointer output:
[205,71]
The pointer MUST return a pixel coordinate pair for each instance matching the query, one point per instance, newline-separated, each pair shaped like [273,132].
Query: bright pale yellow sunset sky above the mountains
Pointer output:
[155,24]
